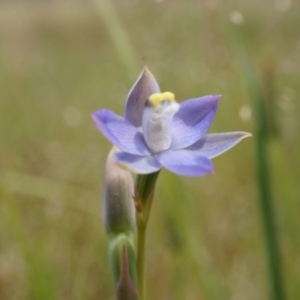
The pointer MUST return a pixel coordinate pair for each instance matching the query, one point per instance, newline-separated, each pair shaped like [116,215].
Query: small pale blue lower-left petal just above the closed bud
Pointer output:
[139,164]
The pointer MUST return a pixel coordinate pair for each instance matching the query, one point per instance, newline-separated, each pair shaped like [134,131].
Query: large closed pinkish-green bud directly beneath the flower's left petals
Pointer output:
[118,205]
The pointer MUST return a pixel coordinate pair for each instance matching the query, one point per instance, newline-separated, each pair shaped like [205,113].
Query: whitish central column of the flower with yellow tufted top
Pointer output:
[157,120]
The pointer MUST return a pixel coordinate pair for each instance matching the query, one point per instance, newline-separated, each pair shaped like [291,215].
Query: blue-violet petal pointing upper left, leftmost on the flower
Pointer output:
[120,132]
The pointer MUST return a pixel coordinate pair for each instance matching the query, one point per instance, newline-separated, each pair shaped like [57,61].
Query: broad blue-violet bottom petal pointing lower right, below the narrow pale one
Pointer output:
[185,163]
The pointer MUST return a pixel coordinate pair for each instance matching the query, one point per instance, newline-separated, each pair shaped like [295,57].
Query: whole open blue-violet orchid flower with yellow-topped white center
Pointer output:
[159,132]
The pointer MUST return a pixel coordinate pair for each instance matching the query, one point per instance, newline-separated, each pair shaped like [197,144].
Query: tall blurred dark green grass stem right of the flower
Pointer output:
[267,211]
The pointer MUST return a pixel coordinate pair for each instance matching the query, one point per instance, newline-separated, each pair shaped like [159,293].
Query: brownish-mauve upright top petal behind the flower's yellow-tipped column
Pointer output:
[144,87]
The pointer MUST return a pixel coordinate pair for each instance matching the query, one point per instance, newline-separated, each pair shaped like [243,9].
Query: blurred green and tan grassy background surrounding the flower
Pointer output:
[60,61]
